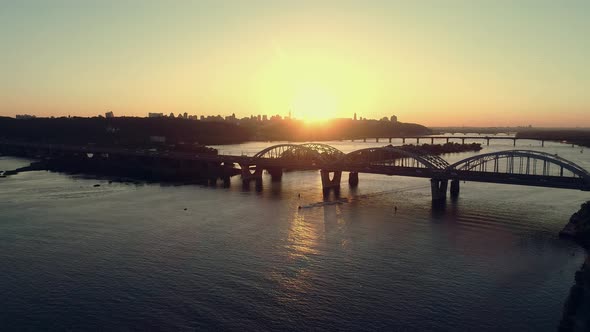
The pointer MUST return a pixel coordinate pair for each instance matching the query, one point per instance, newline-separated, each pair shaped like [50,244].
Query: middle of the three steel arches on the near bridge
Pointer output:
[394,156]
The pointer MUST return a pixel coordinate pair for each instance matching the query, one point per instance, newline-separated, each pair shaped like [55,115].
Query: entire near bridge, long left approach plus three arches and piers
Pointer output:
[516,167]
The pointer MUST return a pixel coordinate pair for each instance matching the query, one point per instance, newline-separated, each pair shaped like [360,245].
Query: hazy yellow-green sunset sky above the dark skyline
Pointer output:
[437,63]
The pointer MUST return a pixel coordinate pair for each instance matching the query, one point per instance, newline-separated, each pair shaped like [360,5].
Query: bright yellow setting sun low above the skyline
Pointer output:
[314,104]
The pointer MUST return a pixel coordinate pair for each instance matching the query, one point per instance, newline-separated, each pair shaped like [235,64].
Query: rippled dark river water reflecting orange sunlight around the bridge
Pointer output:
[130,257]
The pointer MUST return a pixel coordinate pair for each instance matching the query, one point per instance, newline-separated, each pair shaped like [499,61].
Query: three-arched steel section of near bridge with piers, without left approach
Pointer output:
[521,167]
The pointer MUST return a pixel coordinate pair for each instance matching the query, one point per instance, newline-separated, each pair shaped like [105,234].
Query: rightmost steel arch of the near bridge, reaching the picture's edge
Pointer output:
[525,162]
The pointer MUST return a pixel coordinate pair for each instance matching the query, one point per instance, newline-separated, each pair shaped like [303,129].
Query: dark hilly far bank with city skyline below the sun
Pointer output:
[133,131]
